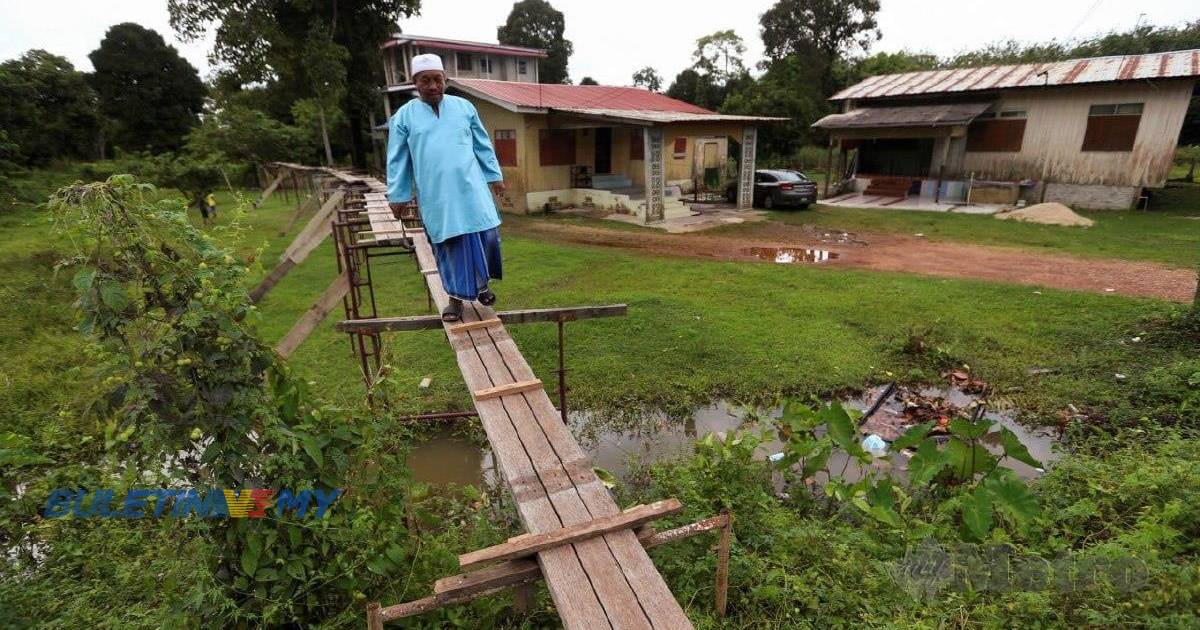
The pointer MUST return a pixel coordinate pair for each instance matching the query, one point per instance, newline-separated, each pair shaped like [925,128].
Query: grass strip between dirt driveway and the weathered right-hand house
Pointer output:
[1168,235]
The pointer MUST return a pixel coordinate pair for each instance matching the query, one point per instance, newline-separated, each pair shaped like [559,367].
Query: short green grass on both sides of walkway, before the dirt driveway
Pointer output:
[695,332]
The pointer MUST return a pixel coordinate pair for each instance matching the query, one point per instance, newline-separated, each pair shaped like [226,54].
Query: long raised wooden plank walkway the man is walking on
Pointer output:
[608,581]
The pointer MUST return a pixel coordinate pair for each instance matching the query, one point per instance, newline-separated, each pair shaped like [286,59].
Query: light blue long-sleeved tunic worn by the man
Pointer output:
[451,160]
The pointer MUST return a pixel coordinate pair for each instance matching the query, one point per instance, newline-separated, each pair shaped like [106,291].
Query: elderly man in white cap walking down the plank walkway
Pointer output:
[439,143]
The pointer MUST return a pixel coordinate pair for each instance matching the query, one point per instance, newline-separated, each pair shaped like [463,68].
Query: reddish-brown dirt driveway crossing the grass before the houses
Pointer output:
[895,253]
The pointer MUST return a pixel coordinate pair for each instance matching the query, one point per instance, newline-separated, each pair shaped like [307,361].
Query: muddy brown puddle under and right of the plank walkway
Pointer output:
[622,446]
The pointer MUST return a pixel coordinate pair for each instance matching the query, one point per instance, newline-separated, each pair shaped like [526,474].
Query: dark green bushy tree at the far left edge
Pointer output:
[47,109]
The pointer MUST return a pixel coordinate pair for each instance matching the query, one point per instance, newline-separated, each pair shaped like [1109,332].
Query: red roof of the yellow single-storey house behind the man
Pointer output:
[555,97]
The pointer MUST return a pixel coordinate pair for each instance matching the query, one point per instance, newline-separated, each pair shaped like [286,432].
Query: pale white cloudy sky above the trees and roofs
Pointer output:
[615,38]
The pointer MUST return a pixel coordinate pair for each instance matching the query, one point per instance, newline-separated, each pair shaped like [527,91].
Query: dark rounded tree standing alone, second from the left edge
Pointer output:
[152,95]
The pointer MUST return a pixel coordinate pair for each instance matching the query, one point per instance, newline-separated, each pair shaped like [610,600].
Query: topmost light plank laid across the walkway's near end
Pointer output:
[530,544]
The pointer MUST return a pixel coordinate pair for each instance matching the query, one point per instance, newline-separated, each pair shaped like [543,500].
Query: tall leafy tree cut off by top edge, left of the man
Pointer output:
[265,41]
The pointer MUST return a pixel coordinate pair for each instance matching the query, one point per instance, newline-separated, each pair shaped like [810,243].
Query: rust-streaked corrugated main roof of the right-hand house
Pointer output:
[1178,64]
